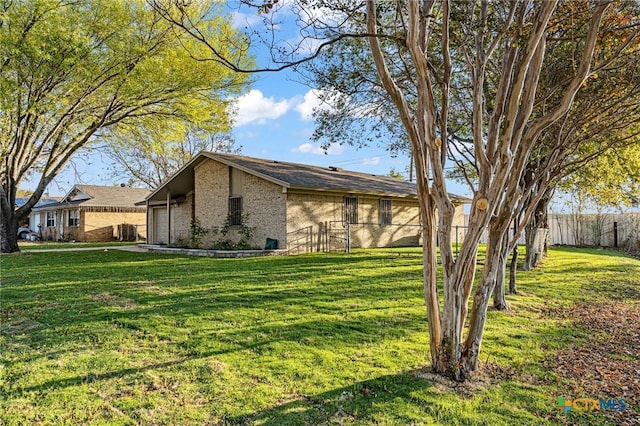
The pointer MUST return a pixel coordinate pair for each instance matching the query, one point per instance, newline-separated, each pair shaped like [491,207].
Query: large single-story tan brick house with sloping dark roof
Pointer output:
[305,208]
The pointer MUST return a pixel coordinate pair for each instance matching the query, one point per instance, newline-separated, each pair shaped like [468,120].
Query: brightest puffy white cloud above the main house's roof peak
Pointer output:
[254,108]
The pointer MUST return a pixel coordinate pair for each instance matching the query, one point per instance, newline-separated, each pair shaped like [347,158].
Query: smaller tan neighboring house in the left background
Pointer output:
[93,213]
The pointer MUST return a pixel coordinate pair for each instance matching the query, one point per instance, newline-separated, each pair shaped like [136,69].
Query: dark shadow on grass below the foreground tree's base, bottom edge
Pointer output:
[403,399]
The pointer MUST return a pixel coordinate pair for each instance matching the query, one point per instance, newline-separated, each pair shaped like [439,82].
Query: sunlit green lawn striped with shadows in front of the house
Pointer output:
[135,338]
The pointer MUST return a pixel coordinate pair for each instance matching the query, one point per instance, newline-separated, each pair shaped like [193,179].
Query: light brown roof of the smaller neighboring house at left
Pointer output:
[101,196]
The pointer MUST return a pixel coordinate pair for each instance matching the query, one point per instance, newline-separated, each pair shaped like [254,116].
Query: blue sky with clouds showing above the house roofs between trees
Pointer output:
[274,121]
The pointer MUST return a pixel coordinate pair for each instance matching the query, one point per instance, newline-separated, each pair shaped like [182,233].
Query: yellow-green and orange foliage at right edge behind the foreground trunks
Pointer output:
[602,124]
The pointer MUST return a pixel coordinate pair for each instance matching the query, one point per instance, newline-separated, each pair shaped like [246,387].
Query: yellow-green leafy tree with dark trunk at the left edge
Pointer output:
[73,69]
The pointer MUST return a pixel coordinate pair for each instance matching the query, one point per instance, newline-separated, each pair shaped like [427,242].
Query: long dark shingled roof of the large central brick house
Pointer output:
[297,176]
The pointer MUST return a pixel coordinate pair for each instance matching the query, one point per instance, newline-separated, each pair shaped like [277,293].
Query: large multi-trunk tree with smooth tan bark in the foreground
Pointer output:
[492,54]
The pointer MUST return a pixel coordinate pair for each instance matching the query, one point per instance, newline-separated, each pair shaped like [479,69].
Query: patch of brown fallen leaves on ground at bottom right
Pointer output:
[607,365]
